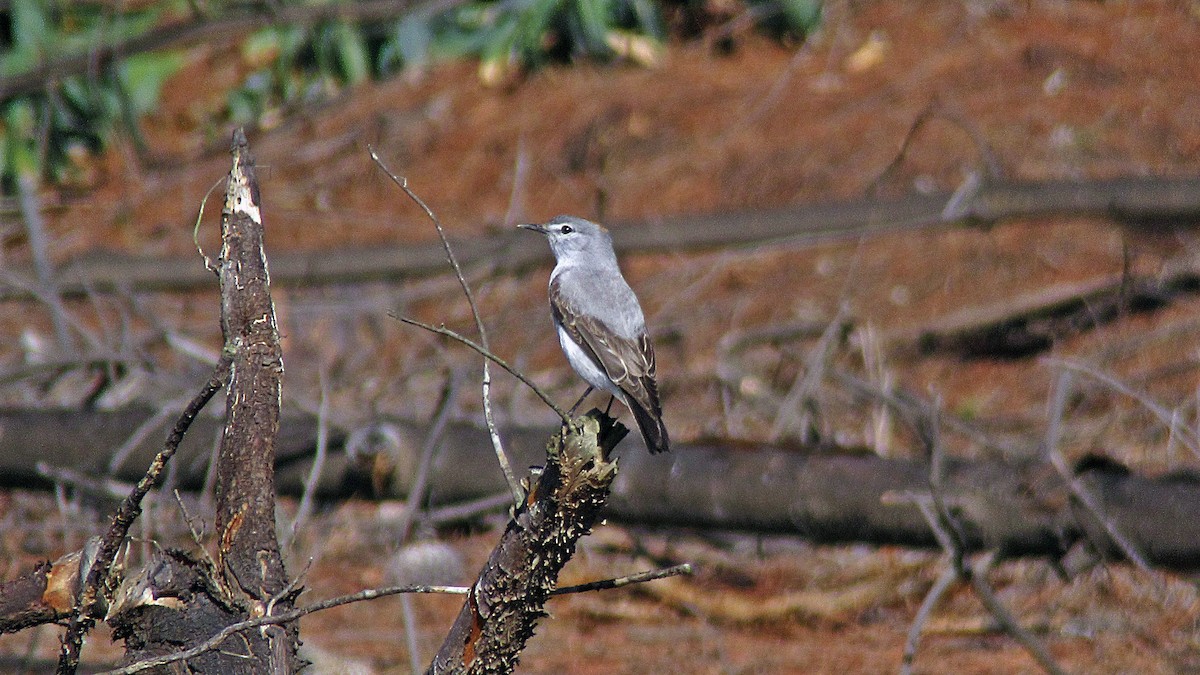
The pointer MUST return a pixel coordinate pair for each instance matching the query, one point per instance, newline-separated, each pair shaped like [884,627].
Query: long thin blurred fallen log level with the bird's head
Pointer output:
[1132,200]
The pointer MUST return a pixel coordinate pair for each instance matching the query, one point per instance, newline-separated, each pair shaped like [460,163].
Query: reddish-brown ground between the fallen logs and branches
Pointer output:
[1058,89]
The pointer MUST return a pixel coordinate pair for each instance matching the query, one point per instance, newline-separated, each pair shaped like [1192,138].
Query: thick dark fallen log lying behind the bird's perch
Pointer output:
[1018,509]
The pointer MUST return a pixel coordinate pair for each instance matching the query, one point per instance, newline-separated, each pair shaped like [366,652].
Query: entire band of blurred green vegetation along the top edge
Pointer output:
[46,132]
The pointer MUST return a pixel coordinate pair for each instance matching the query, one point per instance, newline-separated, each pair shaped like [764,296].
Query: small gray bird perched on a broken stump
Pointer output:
[601,324]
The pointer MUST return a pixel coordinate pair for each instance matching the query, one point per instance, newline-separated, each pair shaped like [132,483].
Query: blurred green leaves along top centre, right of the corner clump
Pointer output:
[310,63]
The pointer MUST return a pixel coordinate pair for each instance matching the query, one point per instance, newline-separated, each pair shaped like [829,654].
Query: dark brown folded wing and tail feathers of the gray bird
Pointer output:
[629,365]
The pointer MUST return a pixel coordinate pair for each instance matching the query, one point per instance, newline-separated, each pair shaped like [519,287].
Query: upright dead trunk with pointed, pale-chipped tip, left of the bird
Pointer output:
[249,549]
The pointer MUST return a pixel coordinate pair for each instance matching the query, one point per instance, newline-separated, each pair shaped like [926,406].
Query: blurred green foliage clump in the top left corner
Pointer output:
[43,135]
